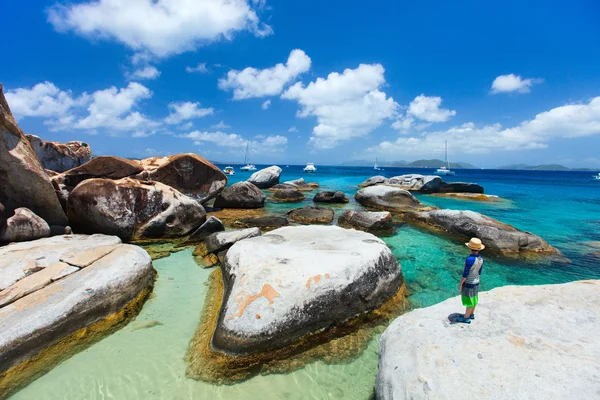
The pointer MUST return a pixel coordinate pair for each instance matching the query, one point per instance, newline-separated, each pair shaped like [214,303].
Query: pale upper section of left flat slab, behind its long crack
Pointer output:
[18,260]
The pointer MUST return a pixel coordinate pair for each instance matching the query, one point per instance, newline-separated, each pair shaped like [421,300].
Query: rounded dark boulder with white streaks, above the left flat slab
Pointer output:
[132,209]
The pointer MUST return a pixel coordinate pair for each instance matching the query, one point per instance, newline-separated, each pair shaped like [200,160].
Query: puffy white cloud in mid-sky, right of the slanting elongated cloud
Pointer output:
[346,105]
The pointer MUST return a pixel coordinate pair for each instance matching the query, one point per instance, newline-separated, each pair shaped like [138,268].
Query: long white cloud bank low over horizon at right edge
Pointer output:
[568,121]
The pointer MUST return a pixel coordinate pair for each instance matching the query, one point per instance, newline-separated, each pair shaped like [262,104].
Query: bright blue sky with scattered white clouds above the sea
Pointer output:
[324,82]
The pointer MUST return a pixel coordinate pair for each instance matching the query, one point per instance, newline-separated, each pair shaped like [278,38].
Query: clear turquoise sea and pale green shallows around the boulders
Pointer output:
[140,362]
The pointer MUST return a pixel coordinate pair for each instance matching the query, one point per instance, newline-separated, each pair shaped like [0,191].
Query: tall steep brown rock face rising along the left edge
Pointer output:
[24,180]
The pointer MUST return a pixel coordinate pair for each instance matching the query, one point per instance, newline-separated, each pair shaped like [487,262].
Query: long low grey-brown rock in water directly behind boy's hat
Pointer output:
[496,236]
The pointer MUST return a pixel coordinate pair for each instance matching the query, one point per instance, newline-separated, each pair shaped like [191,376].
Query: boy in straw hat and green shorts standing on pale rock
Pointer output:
[469,283]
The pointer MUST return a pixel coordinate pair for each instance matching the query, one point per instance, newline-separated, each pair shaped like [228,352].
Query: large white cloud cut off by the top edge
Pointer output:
[159,27]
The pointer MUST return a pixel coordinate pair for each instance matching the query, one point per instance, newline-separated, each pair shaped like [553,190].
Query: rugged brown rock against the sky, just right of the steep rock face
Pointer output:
[60,157]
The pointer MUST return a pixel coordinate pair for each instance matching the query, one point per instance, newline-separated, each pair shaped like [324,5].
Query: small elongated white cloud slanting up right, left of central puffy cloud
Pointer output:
[252,82]
